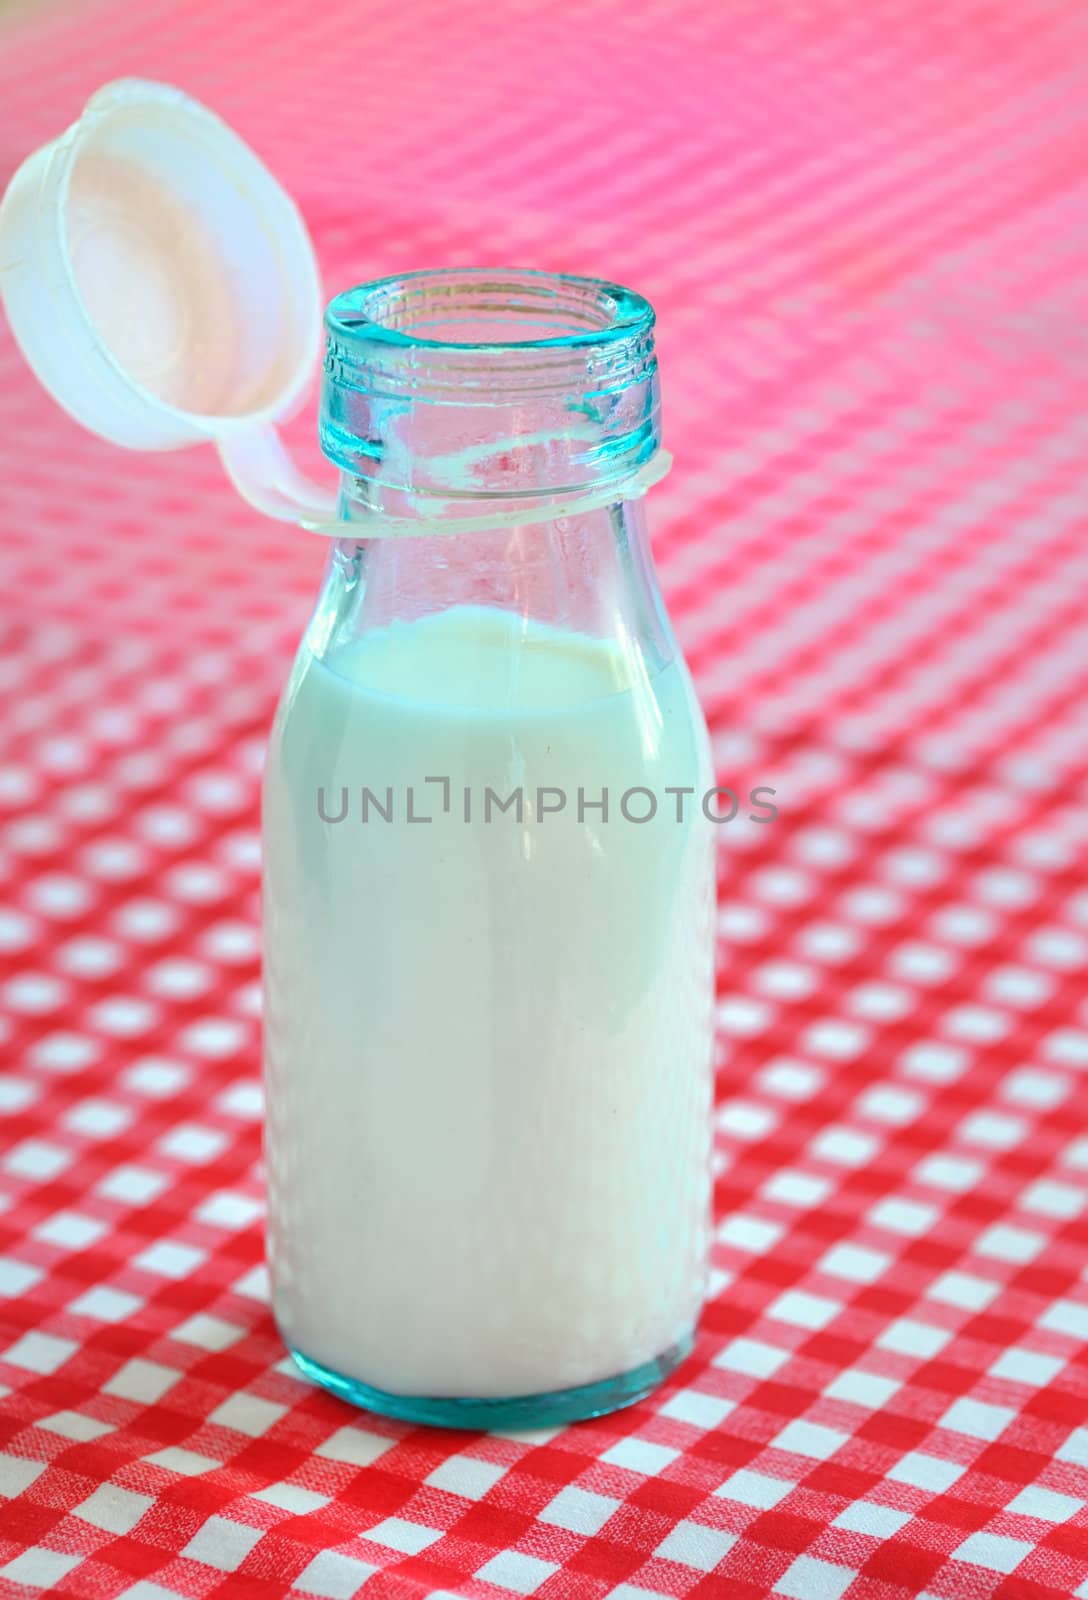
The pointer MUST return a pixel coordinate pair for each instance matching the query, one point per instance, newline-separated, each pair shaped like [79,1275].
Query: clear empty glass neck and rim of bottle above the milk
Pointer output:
[494,431]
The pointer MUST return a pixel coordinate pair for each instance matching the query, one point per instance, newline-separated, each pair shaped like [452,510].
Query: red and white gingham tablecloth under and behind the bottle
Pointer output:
[866,233]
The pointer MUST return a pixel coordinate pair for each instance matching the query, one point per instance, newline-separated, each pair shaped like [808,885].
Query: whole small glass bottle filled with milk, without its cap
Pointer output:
[489,876]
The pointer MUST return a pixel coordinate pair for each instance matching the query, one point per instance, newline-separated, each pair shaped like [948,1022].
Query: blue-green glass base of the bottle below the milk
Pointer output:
[522,1412]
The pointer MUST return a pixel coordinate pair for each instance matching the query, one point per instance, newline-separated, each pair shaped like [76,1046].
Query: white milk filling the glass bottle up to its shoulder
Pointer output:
[489,1046]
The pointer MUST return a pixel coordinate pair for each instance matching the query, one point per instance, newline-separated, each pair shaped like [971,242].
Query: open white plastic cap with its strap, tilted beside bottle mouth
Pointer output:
[162,286]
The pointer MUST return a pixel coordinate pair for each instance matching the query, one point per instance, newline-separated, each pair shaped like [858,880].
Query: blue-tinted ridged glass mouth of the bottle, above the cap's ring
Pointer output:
[489,383]
